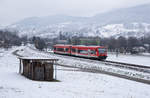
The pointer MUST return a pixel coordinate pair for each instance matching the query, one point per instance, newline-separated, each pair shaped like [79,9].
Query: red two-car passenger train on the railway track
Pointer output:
[97,52]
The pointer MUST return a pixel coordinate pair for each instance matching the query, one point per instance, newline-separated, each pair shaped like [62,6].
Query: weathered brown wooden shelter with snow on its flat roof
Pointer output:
[35,68]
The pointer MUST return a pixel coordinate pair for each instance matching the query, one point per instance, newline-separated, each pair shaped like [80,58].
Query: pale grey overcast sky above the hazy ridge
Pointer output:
[15,10]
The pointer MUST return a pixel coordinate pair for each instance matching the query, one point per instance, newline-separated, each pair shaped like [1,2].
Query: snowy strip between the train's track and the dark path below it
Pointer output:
[82,63]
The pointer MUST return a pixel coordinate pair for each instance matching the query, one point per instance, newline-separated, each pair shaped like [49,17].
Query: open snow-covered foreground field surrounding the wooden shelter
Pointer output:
[73,84]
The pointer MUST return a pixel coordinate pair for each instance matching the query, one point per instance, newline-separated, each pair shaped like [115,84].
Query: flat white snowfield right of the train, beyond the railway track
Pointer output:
[133,59]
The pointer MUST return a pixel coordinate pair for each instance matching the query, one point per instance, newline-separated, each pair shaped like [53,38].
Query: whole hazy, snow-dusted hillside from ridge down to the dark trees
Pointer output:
[122,22]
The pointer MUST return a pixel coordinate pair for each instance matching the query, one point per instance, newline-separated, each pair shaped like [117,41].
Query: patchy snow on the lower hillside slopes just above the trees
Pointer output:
[79,28]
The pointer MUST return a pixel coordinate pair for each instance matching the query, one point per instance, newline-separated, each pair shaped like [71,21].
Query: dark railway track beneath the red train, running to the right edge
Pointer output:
[140,68]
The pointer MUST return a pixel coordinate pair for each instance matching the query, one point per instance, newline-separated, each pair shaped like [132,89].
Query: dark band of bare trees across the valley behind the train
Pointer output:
[120,44]
